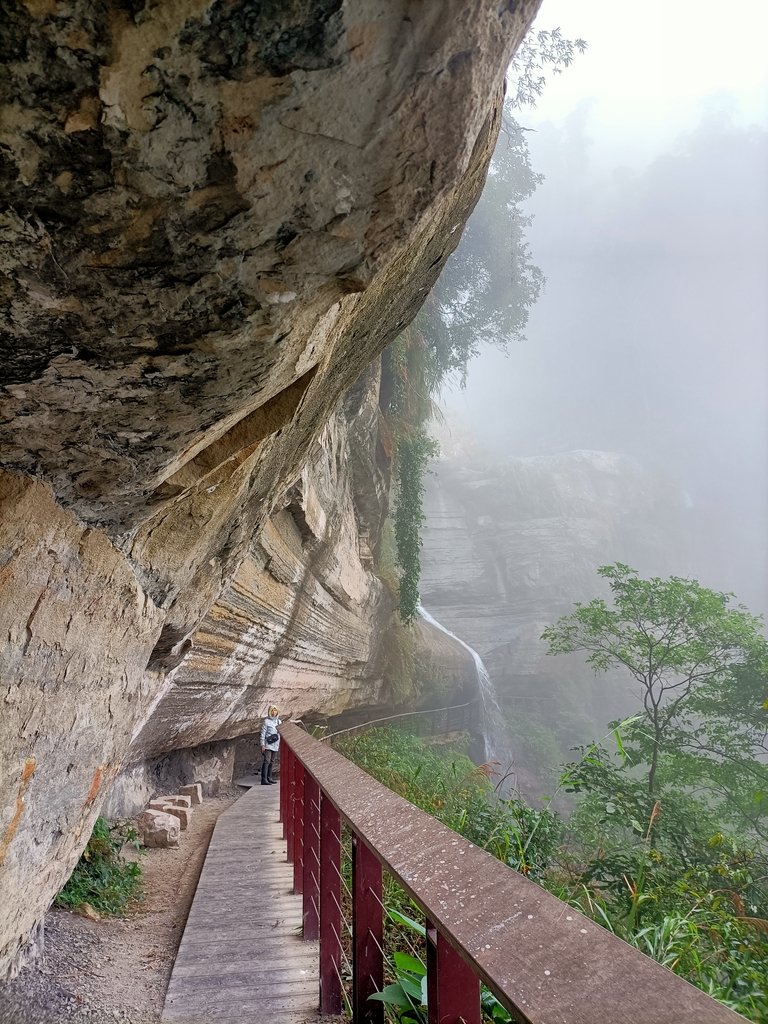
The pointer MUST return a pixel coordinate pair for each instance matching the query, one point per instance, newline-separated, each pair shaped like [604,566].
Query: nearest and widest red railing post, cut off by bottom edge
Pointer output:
[453,989]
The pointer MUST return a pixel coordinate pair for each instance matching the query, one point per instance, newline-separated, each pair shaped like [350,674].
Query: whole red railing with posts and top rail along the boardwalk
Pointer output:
[546,963]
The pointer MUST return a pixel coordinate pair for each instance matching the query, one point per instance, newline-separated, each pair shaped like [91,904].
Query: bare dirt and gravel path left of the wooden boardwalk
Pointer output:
[116,970]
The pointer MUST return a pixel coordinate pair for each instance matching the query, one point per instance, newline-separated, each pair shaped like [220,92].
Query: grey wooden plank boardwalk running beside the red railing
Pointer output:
[242,959]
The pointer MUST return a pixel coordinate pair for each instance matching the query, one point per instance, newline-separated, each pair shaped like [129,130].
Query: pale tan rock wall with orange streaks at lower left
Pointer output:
[77,634]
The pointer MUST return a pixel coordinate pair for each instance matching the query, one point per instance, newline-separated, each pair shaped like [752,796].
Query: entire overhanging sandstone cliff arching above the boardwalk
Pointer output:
[216,216]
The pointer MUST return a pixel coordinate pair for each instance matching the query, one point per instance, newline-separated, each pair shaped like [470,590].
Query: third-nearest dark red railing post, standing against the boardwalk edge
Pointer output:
[330,909]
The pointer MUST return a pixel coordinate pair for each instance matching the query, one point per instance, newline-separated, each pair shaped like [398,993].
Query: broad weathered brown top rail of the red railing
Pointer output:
[545,962]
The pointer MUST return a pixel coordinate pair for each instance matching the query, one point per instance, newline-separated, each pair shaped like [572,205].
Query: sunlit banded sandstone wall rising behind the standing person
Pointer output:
[303,622]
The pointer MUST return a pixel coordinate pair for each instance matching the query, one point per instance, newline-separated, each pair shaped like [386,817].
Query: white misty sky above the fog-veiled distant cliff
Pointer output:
[652,228]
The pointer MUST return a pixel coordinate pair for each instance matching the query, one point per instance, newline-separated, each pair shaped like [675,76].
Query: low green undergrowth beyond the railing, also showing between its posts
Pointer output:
[668,880]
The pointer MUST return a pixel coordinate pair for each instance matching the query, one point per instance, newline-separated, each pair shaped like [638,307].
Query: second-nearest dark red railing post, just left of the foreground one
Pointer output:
[368,935]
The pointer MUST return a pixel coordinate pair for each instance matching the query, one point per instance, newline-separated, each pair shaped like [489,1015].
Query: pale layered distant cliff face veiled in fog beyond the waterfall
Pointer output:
[510,546]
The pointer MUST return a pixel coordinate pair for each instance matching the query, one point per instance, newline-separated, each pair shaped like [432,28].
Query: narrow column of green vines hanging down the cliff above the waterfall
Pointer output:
[413,455]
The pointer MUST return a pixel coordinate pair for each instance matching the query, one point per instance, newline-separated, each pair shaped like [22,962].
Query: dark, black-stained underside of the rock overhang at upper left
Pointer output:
[198,192]
